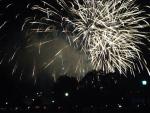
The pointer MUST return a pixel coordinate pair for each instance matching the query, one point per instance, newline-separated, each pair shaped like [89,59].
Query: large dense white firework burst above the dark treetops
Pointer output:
[108,32]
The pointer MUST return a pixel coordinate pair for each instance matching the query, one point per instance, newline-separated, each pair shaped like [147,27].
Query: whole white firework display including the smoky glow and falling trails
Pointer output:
[79,36]
